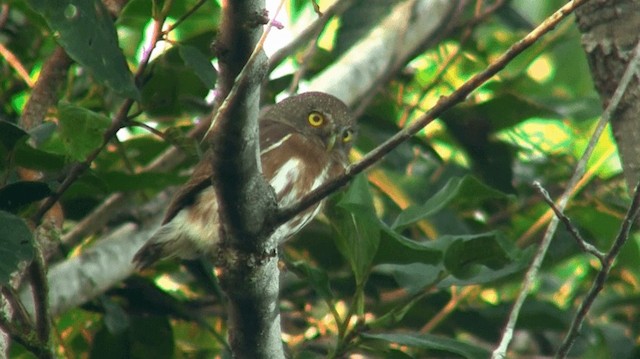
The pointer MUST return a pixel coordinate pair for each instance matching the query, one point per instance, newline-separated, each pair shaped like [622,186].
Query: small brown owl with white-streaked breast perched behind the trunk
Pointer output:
[304,142]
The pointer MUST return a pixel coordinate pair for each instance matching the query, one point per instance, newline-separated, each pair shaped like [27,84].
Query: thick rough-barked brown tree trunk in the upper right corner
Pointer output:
[609,33]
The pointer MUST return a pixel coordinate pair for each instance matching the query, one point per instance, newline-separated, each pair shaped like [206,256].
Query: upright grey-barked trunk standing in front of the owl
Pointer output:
[248,257]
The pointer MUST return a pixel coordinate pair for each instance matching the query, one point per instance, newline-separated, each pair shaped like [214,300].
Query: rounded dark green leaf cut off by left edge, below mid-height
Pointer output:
[16,245]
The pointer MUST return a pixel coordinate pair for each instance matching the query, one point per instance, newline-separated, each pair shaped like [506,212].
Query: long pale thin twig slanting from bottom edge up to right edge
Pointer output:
[532,272]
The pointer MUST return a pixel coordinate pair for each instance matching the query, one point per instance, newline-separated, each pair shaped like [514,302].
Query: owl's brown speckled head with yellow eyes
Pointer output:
[319,117]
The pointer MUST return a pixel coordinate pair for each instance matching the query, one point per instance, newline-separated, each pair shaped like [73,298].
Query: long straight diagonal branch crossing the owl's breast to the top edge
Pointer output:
[443,104]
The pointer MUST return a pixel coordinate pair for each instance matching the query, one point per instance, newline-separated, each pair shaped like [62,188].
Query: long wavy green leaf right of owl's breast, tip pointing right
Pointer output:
[467,188]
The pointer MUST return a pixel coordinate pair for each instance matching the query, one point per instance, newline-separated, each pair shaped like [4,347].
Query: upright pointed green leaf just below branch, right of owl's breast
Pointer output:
[357,228]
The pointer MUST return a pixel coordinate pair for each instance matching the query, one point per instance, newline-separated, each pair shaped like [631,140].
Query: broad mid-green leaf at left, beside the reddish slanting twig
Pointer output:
[81,130]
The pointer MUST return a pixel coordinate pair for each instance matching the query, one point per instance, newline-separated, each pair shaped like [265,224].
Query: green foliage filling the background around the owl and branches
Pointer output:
[422,256]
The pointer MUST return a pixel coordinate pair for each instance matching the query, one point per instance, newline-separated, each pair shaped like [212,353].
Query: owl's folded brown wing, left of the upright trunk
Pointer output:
[187,194]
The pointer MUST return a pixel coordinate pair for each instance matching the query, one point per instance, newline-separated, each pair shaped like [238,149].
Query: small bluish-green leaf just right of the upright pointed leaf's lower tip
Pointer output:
[412,277]
